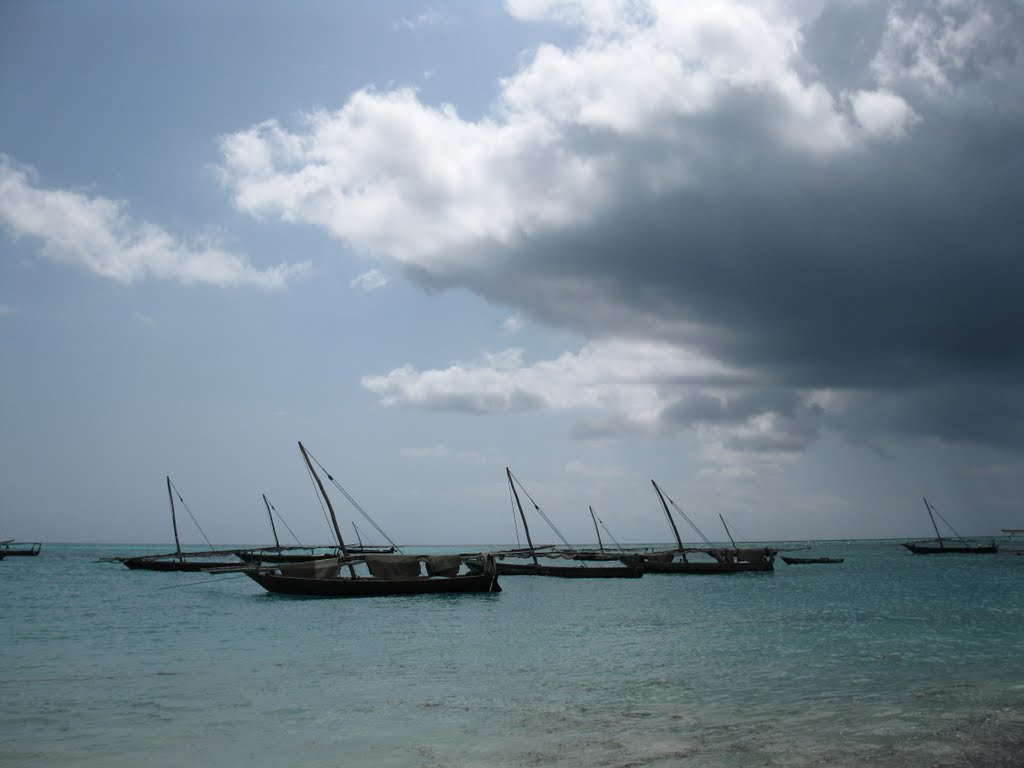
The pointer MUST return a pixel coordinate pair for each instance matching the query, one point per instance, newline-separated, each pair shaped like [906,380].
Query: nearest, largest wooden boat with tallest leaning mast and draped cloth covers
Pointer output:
[390,574]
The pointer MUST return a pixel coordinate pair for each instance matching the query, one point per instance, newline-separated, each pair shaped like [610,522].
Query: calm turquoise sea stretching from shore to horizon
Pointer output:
[886,660]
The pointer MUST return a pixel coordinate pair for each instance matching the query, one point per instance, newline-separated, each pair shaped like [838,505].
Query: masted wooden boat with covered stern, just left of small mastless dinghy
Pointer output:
[718,560]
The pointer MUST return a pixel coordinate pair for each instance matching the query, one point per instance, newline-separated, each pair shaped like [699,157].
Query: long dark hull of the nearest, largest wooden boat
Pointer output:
[370,587]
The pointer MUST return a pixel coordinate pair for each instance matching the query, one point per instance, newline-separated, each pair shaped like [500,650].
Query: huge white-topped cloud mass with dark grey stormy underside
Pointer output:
[821,199]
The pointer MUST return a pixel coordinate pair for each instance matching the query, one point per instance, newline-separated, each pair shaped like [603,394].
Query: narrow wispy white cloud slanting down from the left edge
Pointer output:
[98,234]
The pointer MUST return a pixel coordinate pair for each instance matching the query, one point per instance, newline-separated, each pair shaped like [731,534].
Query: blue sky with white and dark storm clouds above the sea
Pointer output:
[767,254]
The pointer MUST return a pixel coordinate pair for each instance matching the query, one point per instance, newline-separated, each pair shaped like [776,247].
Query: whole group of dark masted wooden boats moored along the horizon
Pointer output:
[345,571]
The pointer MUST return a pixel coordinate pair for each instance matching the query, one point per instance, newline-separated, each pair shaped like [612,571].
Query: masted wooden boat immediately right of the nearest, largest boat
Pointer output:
[630,567]
